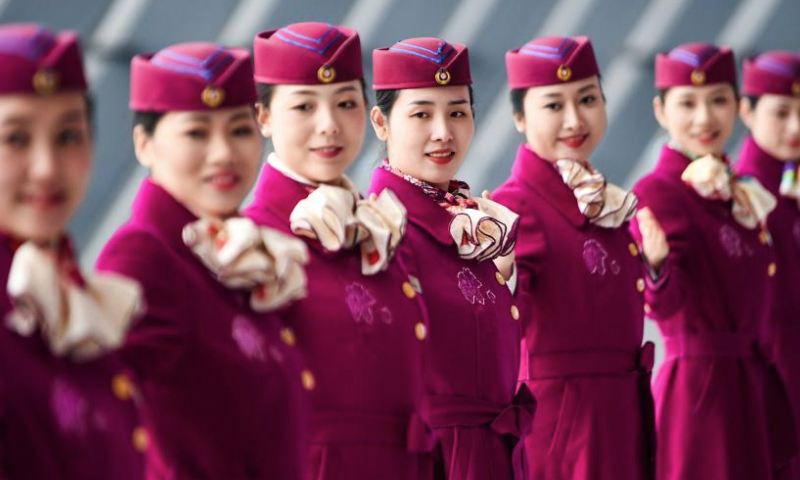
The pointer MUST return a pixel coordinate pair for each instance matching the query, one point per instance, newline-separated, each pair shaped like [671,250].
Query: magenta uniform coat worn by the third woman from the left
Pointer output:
[357,333]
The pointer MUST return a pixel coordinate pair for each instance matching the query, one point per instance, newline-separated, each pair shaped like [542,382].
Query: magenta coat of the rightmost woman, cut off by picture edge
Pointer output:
[784,227]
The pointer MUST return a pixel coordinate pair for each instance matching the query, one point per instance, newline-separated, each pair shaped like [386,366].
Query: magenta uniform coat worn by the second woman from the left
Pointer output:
[221,391]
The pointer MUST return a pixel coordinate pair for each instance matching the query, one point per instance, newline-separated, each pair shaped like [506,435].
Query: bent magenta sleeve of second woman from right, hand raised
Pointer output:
[665,293]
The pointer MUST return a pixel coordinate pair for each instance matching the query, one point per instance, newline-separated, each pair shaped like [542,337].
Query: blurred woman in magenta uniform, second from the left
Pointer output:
[220,381]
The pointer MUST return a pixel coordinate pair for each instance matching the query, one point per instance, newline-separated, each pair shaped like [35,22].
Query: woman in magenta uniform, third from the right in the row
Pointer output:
[580,275]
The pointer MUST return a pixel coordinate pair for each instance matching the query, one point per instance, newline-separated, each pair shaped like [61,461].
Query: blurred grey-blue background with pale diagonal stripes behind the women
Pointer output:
[626,34]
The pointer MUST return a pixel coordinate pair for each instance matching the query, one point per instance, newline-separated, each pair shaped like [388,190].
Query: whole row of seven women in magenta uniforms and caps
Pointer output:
[415,332]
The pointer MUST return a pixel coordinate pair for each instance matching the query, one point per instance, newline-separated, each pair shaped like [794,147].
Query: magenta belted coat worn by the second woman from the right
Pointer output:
[718,403]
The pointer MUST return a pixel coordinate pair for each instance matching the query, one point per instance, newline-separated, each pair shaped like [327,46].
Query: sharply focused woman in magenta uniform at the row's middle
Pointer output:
[424,115]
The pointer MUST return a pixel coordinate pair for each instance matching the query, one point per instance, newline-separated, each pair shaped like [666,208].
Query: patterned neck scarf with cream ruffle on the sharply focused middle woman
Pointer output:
[481,229]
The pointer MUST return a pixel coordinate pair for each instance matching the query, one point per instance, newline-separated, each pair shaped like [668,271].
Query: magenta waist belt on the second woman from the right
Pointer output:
[720,344]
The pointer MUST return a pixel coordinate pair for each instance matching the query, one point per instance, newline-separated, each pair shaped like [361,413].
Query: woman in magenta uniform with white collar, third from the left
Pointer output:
[361,327]
